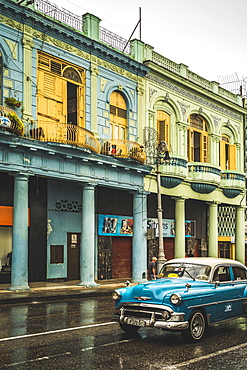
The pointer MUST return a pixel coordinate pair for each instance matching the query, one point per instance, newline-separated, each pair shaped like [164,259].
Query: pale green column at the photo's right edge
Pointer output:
[239,235]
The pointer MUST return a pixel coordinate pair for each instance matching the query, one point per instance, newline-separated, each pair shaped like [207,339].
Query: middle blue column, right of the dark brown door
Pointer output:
[87,255]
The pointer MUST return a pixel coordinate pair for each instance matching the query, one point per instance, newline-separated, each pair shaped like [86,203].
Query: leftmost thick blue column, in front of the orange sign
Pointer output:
[19,267]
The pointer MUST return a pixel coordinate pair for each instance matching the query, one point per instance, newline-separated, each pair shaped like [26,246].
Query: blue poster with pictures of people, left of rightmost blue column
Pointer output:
[110,225]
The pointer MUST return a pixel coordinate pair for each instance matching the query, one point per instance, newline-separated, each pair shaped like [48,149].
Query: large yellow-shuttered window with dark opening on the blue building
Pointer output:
[60,96]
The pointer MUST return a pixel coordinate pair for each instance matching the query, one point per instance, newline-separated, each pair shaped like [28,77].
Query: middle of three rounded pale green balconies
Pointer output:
[204,177]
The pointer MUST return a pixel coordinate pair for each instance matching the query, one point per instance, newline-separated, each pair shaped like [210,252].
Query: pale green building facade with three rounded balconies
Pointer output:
[203,184]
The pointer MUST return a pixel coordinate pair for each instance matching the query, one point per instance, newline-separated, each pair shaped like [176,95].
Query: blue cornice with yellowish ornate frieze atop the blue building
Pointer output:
[70,40]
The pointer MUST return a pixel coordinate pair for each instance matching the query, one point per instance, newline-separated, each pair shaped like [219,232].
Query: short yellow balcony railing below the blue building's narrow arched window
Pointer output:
[123,149]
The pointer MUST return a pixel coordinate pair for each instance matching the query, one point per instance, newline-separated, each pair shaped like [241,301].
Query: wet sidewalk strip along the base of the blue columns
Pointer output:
[58,290]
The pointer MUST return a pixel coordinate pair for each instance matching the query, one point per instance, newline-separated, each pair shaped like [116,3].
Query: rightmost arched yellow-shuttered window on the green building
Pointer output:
[227,154]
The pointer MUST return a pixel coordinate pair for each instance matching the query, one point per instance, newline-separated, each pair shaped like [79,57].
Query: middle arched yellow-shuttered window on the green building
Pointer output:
[197,150]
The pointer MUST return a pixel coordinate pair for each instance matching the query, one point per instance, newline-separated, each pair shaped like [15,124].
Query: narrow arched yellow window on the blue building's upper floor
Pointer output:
[118,116]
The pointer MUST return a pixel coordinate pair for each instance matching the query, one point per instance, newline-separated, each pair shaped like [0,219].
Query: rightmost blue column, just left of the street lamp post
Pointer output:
[139,245]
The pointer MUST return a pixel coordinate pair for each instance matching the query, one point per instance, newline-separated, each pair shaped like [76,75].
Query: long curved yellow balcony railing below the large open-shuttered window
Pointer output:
[64,133]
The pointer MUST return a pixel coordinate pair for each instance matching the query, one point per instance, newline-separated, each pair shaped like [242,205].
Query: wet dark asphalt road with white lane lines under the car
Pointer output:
[79,334]
